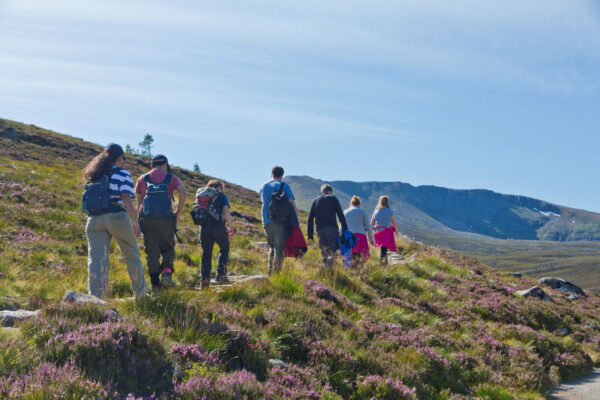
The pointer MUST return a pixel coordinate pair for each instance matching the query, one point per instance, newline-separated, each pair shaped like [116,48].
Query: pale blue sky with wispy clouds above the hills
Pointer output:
[502,95]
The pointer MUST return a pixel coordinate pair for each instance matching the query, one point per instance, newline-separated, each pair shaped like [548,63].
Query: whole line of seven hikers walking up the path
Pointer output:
[108,201]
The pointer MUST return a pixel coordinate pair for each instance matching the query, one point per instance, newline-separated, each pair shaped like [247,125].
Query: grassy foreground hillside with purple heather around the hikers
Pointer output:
[437,326]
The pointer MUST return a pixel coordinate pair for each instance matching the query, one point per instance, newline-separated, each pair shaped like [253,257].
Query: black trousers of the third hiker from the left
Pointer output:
[209,235]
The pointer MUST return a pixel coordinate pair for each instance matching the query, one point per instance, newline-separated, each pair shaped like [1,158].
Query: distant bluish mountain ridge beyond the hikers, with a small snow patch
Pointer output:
[424,212]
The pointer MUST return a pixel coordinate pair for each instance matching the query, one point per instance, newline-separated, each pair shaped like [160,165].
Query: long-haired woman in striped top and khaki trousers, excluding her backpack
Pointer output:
[119,221]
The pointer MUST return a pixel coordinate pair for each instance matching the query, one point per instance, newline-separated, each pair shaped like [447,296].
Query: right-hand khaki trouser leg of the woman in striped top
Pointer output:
[122,230]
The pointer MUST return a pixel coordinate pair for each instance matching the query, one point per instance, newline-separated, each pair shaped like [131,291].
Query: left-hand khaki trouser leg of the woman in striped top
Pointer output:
[98,256]
